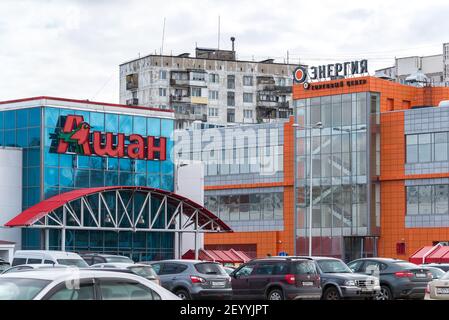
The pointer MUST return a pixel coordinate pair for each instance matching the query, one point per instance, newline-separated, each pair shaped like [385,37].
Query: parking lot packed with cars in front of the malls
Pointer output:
[55,275]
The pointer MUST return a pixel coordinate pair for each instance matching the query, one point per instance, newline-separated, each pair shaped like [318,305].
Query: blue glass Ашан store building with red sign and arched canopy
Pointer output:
[88,176]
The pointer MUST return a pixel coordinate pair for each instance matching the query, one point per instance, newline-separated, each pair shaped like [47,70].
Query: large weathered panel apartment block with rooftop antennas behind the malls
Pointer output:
[212,87]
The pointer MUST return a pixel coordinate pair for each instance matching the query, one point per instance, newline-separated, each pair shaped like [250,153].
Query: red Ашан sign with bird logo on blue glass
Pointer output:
[76,133]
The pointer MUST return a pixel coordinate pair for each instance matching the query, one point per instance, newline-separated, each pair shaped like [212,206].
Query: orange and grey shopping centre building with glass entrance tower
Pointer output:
[380,178]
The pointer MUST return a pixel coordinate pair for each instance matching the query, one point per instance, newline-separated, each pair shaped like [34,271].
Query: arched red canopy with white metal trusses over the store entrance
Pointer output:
[115,209]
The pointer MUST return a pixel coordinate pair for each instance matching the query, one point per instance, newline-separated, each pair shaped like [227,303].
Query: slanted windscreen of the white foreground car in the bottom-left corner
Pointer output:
[20,289]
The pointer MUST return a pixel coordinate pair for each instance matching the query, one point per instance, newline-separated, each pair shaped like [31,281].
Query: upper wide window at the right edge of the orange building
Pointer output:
[427,147]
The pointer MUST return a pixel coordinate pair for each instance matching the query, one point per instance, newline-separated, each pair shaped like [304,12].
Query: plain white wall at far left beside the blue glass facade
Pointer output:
[10,192]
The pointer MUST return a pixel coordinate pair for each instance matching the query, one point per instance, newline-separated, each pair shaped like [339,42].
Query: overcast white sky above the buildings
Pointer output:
[72,48]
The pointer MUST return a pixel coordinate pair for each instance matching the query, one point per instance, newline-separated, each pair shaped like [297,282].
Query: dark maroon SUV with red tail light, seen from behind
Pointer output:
[277,278]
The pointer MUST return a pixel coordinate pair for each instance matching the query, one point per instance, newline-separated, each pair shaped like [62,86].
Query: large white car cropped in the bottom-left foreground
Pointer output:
[79,284]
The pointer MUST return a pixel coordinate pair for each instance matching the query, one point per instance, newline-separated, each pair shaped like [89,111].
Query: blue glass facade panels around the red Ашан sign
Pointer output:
[46,173]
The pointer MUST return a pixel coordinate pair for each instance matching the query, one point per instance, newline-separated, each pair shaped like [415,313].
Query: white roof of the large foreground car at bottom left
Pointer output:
[62,273]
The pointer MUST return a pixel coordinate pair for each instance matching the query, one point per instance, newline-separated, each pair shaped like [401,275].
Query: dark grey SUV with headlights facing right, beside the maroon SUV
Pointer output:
[339,282]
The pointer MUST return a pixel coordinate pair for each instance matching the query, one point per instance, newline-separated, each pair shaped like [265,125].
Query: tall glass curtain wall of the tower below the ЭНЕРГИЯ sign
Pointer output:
[340,156]
